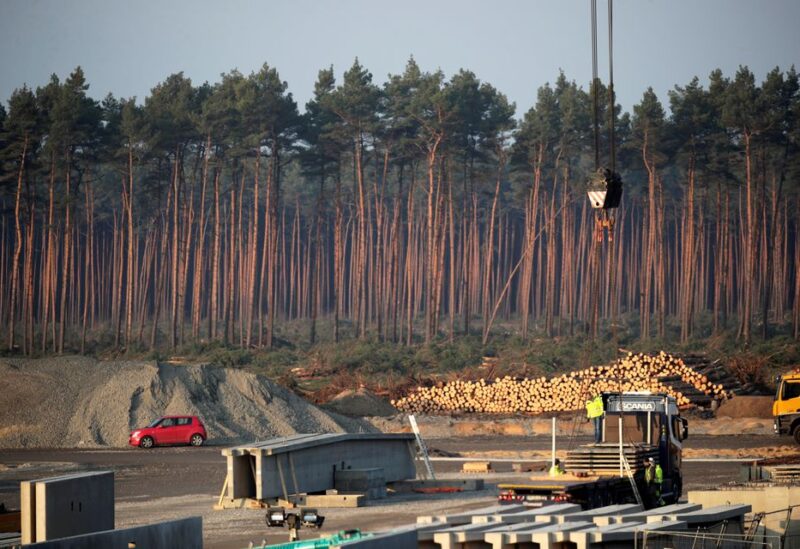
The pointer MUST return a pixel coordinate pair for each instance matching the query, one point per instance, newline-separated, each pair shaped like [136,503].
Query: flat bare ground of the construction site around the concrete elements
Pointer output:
[171,483]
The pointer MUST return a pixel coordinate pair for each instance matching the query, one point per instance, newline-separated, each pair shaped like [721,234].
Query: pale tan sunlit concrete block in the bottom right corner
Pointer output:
[773,500]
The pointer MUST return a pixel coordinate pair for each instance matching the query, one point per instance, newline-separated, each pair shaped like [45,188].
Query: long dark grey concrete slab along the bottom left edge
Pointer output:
[184,533]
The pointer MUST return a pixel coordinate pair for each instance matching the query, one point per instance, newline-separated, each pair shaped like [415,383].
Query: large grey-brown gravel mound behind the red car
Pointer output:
[78,401]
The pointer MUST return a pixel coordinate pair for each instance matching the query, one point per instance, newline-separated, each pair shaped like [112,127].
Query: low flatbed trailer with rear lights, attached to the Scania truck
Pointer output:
[588,492]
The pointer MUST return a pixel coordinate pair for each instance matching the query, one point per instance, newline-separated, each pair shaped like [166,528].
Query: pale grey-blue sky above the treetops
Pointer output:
[127,47]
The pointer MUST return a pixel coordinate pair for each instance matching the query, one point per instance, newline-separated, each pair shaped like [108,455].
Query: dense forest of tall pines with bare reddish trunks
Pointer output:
[412,210]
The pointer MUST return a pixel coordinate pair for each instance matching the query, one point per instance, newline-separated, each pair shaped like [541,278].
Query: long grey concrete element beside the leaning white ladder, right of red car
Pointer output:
[299,464]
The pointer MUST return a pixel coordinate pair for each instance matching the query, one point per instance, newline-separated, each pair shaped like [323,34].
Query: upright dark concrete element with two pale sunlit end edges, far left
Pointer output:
[68,505]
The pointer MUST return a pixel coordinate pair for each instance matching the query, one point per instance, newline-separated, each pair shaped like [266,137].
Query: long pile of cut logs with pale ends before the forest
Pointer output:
[506,395]
